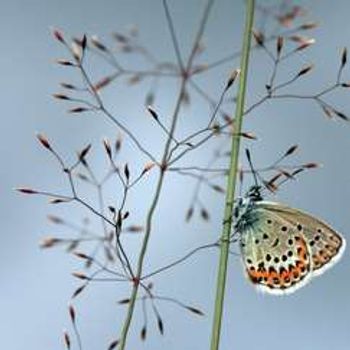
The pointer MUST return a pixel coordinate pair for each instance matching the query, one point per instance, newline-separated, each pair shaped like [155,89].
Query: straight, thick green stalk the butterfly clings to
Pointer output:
[231,181]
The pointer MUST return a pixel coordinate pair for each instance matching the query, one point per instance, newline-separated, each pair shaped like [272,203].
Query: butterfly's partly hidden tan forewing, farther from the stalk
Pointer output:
[326,245]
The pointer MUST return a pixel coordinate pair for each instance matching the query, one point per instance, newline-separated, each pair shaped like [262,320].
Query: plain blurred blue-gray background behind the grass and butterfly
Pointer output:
[35,286]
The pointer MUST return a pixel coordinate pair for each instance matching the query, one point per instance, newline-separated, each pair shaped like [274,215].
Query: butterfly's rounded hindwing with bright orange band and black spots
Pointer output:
[275,253]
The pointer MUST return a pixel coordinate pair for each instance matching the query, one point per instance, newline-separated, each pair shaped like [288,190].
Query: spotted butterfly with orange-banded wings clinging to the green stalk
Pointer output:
[283,248]
